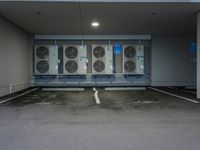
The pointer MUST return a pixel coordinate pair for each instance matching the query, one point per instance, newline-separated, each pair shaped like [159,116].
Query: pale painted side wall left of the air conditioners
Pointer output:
[15,58]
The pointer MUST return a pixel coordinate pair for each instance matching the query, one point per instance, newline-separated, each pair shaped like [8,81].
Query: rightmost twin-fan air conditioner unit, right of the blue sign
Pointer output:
[133,59]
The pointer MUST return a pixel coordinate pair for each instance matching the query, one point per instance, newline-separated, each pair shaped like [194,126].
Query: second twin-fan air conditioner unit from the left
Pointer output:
[75,59]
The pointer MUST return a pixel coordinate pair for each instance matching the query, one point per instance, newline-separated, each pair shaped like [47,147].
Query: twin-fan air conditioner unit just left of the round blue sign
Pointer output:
[102,59]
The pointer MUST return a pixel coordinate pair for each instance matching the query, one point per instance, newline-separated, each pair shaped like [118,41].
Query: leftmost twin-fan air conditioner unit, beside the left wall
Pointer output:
[46,59]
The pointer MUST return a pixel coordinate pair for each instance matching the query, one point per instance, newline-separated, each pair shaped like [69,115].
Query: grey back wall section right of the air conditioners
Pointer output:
[171,62]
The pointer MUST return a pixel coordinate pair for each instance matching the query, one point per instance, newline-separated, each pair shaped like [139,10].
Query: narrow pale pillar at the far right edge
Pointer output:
[198,55]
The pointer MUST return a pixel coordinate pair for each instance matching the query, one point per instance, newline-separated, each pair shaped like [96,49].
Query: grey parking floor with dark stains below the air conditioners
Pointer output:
[124,120]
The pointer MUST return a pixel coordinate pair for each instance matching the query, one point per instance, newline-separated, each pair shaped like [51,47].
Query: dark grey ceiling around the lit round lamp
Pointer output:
[115,18]
